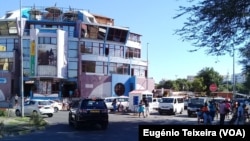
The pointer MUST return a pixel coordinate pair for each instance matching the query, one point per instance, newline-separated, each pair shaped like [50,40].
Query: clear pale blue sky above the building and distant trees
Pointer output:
[167,54]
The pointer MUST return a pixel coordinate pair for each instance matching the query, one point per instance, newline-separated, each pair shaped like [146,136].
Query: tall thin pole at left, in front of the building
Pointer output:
[21,53]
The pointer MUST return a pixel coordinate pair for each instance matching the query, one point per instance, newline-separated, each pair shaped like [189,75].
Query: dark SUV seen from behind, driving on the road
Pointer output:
[89,112]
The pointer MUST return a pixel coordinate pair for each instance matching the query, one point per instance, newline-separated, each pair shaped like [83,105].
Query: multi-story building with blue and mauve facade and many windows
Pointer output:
[69,51]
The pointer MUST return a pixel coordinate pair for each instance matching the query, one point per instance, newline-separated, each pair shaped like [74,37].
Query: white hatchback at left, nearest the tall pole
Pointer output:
[42,107]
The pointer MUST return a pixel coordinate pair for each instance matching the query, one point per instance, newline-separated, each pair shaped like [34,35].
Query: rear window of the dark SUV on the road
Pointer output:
[93,104]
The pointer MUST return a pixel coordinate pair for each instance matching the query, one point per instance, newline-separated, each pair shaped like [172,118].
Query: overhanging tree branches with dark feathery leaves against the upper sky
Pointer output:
[216,25]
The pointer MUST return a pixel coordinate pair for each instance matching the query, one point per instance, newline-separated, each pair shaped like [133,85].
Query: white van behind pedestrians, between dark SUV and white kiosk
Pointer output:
[121,100]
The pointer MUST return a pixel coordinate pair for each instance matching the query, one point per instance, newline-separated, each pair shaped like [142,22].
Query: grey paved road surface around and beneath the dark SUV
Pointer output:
[122,127]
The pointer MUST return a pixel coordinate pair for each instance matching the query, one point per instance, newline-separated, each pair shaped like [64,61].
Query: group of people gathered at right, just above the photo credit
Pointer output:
[208,112]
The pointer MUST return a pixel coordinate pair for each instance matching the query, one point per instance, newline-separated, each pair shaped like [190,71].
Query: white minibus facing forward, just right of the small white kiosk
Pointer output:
[171,104]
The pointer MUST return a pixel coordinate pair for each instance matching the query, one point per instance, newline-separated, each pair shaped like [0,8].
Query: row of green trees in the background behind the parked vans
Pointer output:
[201,83]
